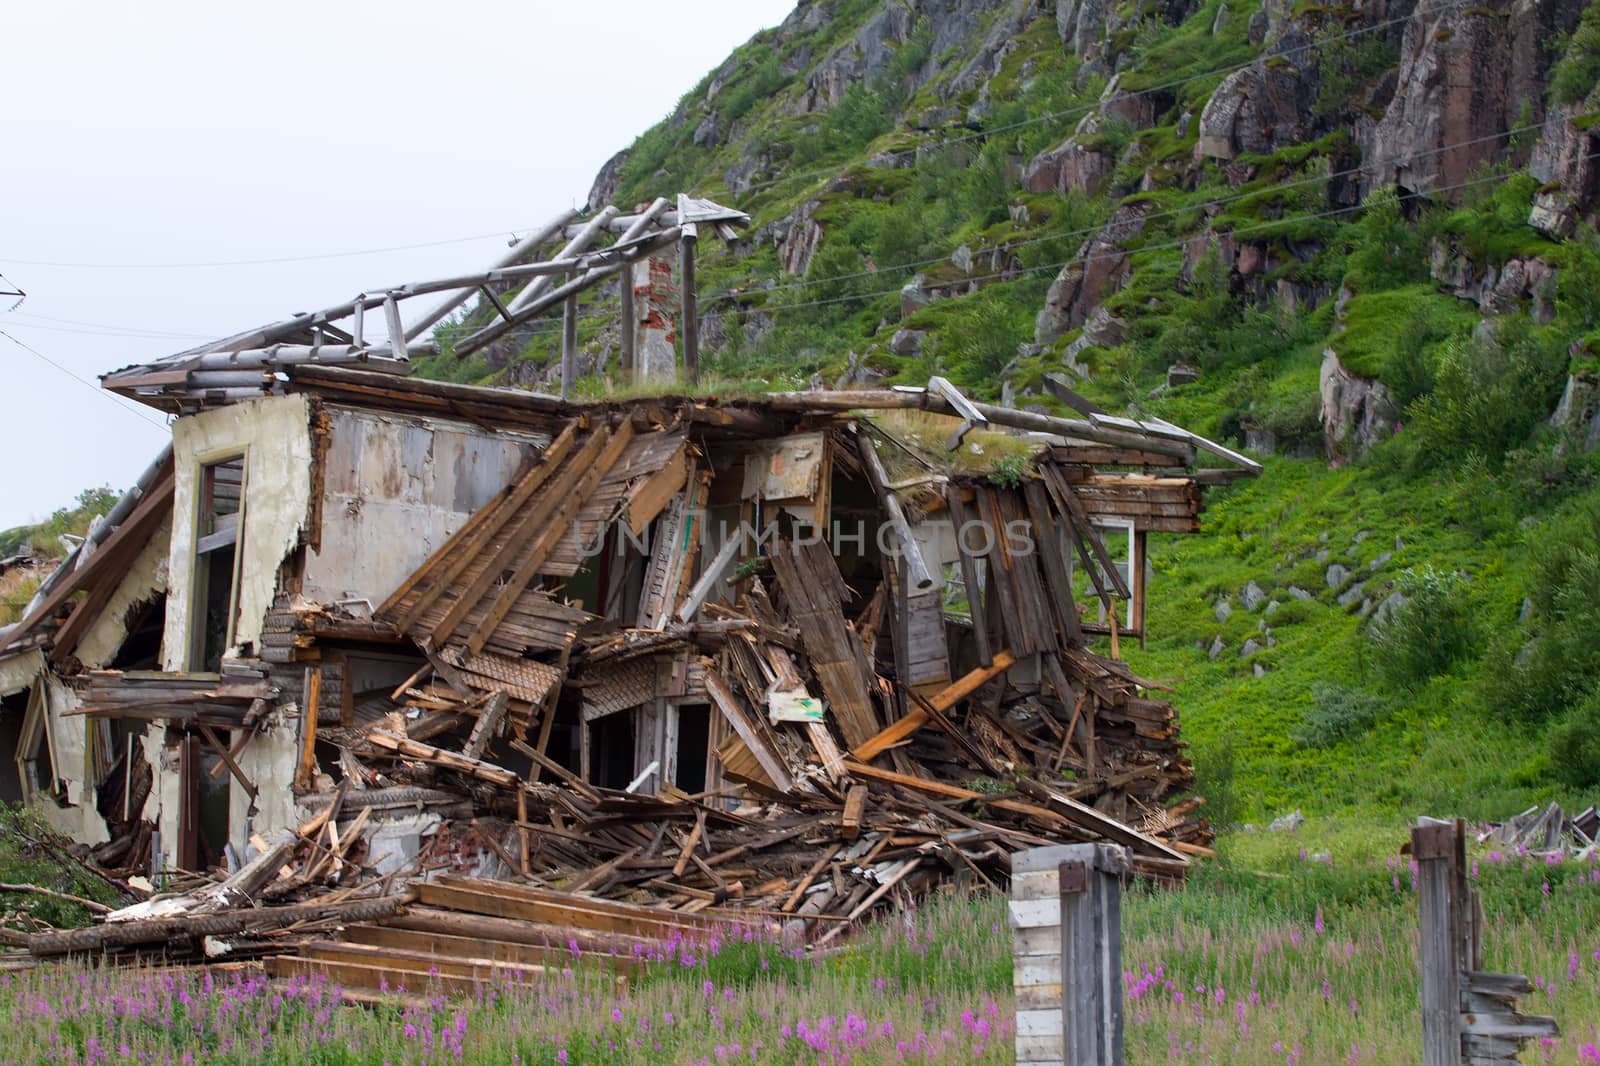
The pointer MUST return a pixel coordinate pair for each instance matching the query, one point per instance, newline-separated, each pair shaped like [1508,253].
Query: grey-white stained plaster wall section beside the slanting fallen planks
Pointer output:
[394,489]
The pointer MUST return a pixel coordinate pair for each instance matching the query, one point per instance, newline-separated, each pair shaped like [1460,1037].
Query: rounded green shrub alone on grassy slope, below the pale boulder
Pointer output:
[1436,630]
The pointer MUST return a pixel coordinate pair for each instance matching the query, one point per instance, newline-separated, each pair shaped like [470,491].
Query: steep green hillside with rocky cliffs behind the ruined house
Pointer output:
[1354,238]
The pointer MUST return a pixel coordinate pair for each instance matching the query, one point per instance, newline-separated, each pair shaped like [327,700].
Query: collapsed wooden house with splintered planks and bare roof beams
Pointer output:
[796,655]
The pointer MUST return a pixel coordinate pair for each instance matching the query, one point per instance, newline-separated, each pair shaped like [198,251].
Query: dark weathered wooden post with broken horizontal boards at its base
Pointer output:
[1470,1017]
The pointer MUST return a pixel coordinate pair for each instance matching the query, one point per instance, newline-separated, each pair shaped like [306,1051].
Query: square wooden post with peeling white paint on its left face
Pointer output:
[1066,936]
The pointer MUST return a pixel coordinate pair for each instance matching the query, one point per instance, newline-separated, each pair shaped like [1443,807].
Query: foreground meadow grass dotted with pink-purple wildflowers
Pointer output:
[1292,948]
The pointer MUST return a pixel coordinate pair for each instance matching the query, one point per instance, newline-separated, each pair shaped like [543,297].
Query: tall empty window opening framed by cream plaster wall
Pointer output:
[217,563]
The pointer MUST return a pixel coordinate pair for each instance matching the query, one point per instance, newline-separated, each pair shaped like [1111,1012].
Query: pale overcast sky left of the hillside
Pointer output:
[196,134]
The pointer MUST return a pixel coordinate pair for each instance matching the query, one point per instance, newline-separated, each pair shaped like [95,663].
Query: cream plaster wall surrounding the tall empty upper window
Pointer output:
[274,433]
